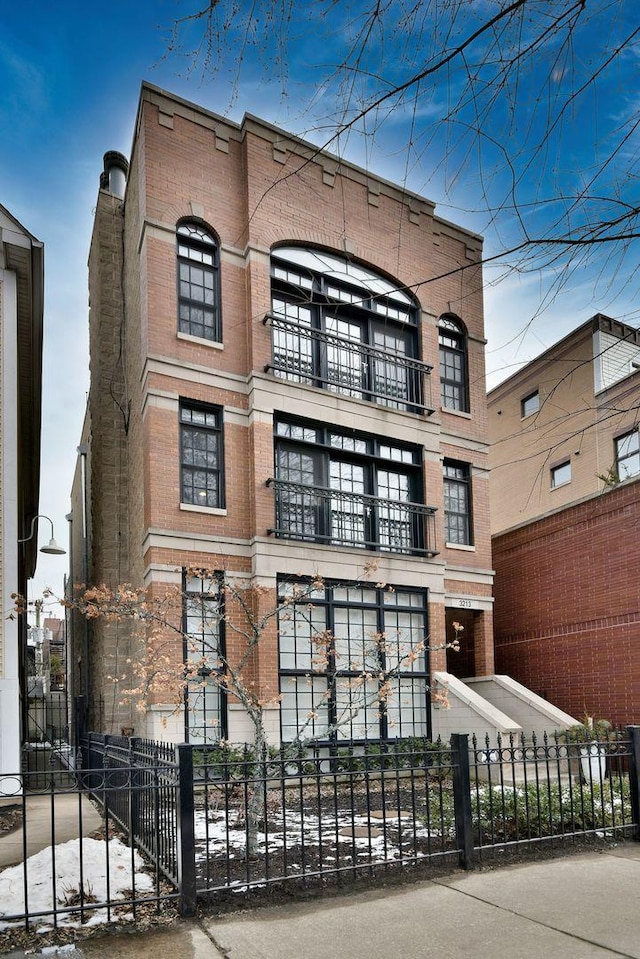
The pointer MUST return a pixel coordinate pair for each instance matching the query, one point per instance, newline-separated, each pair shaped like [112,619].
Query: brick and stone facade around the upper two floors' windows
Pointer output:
[253,188]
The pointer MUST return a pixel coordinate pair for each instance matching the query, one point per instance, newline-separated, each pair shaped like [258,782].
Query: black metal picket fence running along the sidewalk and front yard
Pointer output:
[190,822]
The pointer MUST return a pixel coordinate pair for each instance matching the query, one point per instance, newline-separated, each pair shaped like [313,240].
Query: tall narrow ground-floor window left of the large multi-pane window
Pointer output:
[203,646]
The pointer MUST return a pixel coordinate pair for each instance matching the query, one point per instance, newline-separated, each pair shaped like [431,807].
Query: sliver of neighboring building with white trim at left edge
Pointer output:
[21,313]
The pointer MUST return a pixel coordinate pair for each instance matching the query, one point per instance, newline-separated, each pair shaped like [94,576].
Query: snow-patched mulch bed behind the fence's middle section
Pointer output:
[358,832]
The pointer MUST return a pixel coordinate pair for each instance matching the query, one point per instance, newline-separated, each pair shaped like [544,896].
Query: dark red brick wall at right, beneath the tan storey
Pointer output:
[567,612]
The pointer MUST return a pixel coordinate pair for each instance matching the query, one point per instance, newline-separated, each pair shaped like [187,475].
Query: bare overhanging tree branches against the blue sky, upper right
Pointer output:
[517,111]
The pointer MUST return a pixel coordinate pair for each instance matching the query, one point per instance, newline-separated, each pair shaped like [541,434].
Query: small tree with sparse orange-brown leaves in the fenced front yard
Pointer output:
[182,654]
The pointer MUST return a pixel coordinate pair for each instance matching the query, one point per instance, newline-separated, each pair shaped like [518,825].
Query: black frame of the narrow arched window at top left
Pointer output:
[194,244]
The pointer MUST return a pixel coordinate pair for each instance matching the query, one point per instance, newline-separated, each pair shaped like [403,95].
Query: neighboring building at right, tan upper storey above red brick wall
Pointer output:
[565,511]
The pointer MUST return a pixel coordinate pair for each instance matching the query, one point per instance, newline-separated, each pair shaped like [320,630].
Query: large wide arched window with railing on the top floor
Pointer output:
[340,326]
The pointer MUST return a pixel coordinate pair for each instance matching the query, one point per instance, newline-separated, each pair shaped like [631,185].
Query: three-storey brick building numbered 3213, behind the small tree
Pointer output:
[287,372]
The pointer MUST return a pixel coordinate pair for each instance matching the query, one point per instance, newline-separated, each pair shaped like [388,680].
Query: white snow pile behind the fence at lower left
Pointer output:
[124,869]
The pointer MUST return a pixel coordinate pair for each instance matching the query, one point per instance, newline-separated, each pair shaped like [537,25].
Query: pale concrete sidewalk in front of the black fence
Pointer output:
[586,906]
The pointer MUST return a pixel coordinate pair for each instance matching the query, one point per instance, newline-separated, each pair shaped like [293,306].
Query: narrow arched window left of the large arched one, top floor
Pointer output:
[198,283]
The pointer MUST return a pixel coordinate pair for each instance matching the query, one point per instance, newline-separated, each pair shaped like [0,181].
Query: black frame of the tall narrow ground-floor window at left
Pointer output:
[205,662]
